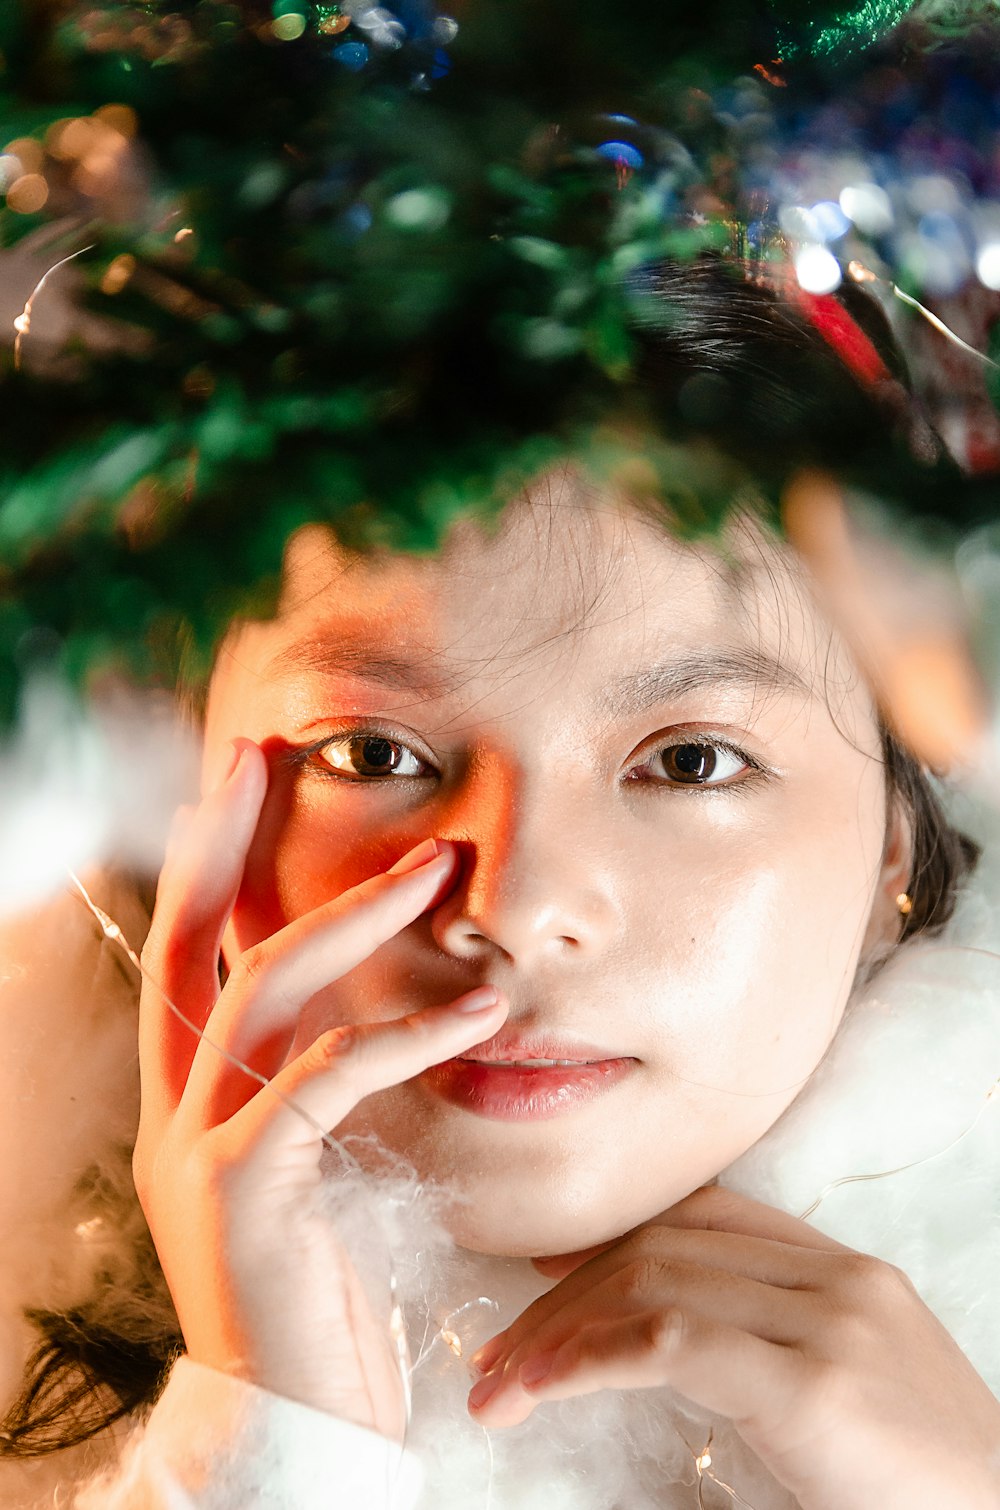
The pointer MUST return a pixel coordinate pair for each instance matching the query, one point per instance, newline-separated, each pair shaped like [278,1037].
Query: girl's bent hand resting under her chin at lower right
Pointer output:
[827,1361]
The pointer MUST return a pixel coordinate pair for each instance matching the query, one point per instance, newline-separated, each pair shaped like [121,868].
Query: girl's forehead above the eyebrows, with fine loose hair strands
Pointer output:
[552,576]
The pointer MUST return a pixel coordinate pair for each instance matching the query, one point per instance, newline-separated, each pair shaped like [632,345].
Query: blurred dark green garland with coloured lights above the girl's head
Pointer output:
[356,263]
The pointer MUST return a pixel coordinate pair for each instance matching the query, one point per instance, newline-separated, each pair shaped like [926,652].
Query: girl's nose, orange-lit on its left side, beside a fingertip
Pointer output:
[537,883]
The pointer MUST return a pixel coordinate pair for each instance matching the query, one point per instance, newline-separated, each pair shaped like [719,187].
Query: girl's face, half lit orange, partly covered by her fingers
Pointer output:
[670,810]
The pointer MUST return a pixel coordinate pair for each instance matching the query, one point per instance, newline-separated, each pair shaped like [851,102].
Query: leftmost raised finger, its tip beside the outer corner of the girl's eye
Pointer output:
[197,892]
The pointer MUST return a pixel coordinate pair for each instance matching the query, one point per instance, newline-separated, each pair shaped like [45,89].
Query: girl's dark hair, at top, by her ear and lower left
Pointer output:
[724,357]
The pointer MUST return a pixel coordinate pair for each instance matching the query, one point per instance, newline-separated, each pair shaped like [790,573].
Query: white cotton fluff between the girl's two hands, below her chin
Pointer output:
[617,1449]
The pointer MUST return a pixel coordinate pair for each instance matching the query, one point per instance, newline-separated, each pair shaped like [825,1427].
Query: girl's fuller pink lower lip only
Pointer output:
[510,1094]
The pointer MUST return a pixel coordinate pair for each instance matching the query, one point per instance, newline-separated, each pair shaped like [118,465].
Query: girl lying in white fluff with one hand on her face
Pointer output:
[558,866]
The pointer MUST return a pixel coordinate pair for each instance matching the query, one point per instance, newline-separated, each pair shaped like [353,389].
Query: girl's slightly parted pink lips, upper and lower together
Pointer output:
[514,1094]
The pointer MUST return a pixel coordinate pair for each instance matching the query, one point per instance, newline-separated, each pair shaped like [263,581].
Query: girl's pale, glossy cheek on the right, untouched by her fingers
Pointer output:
[756,940]
